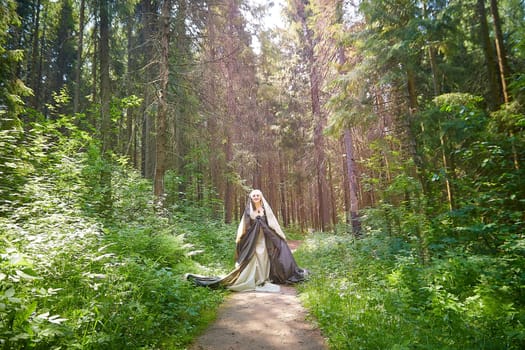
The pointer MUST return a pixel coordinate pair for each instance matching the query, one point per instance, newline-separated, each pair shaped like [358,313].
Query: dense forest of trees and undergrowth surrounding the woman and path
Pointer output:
[396,127]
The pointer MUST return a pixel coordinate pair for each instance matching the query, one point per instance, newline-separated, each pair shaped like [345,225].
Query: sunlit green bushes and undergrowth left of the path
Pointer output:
[70,280]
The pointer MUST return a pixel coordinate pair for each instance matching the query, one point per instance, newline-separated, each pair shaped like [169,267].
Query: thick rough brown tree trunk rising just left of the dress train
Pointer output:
[162,116]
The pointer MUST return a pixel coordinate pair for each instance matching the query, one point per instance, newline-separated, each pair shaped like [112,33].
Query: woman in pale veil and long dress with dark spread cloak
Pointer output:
[262,256]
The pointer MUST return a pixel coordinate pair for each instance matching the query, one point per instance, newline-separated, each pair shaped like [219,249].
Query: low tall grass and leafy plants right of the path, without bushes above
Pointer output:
[374,294]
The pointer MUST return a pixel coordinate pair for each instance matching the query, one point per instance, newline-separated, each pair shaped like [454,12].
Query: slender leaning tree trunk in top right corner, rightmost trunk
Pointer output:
[491,61]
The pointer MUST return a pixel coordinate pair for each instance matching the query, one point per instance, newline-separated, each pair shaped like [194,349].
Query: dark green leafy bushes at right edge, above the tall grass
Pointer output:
[484,154]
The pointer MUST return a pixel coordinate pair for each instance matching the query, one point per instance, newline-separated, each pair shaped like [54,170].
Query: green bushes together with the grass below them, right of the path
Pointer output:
[426,274]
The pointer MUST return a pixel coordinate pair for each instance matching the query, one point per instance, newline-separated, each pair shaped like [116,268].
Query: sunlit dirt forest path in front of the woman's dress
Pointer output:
[259,320]
